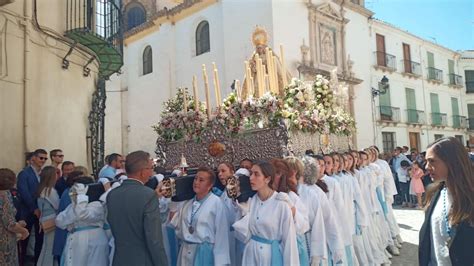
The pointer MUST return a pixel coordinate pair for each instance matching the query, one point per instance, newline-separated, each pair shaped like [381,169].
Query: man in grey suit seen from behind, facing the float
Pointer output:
[134,216]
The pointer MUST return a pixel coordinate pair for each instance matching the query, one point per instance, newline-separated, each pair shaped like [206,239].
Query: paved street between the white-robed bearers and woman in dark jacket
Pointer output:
[410,221]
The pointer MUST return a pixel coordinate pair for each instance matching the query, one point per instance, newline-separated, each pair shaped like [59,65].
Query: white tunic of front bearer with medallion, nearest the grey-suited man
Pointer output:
[209,224]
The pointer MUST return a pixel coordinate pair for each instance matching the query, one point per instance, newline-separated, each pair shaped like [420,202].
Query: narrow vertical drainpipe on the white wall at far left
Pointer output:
[26,26]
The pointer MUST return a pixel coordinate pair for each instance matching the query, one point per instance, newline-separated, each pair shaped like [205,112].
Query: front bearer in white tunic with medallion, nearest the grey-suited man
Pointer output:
[201,224]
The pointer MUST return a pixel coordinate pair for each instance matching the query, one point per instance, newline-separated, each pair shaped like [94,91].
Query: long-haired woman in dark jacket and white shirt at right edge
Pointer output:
[447,234]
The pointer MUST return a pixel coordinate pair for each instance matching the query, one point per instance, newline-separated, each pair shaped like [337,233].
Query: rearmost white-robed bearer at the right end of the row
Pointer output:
[390,190]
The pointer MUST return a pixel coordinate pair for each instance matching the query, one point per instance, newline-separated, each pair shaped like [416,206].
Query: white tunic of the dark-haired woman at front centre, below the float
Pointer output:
[270,219]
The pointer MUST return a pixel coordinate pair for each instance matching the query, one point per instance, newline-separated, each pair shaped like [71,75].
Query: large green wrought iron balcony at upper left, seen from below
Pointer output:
[96,24]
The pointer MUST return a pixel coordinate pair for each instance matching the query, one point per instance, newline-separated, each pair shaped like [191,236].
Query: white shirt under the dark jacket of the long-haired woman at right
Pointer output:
[439,234]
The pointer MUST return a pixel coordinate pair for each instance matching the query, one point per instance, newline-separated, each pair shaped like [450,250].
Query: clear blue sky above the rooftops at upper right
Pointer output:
[449,22]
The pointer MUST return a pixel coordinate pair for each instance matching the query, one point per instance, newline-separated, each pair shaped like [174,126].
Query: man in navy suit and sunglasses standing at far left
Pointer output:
[27,184]
